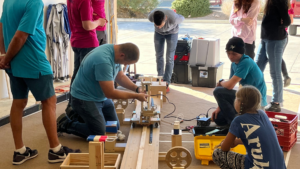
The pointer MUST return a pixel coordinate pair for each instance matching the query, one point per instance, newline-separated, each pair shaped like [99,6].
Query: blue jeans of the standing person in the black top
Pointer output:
[271,51]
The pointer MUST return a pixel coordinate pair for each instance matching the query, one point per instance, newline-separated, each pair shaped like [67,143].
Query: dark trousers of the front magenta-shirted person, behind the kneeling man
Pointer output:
[79,54]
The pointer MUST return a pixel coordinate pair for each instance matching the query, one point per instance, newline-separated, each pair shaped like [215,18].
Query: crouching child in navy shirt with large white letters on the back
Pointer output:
[253,129]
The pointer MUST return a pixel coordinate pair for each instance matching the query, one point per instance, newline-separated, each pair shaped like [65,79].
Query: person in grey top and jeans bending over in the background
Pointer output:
[166,23]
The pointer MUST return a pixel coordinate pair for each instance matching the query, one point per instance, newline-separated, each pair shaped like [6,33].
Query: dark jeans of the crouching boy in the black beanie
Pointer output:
[225,99]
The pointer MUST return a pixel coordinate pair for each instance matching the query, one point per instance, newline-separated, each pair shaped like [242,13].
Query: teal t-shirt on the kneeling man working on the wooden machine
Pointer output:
[98,65]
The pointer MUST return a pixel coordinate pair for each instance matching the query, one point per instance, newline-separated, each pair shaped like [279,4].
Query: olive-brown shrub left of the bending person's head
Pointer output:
[136,8]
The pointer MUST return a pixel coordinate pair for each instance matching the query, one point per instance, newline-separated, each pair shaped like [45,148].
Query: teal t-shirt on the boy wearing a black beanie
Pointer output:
[250,73]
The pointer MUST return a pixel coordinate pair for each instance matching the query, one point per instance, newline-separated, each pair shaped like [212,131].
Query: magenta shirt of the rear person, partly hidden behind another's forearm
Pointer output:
[99,10]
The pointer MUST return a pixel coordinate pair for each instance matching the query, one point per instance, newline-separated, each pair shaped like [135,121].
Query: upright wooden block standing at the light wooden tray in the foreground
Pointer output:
[96,155]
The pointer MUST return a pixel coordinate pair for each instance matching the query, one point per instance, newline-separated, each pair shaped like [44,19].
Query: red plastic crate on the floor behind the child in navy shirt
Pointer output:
[286,129]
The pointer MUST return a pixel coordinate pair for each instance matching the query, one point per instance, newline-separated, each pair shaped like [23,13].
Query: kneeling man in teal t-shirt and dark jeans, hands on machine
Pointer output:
[93,88]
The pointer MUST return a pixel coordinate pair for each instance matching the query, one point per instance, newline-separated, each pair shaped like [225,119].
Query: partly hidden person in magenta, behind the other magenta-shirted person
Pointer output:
[99,12]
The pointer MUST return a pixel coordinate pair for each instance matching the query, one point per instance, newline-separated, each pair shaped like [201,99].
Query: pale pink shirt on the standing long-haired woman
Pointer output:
[239,28]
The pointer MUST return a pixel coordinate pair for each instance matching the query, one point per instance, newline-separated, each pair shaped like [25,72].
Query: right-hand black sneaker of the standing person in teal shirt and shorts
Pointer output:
[60,155]
